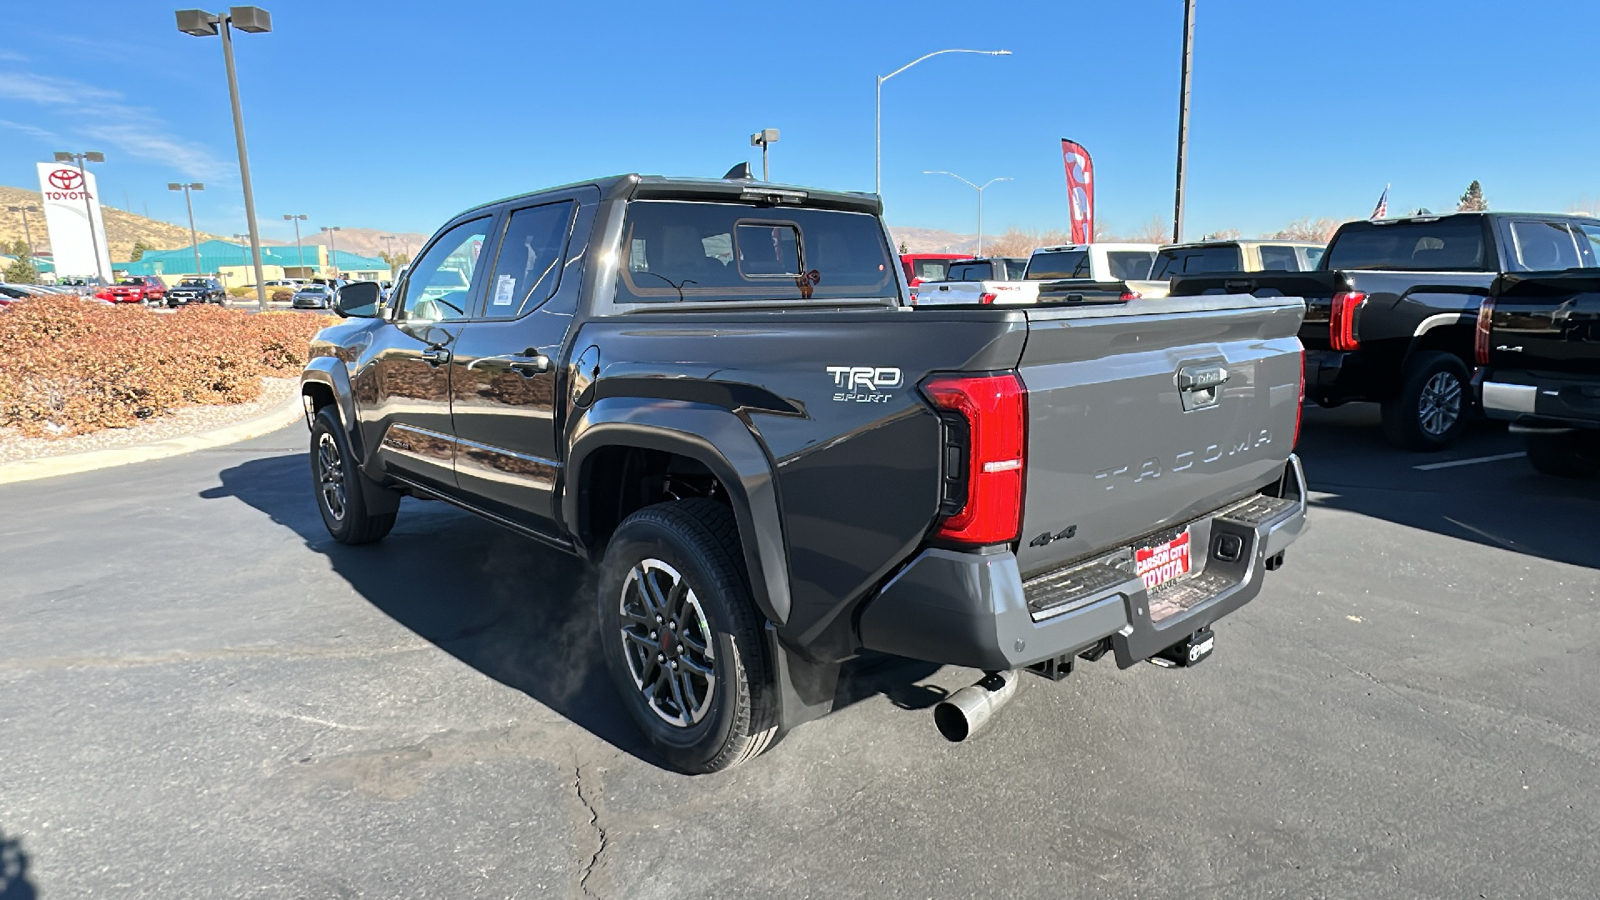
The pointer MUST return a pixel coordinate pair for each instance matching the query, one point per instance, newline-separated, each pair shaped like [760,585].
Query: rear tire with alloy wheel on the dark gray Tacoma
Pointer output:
[705,725]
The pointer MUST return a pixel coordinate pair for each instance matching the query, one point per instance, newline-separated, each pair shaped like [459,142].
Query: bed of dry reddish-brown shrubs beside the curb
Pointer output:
[70,368]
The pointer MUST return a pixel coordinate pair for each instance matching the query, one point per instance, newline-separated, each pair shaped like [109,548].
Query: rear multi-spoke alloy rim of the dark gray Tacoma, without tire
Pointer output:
[668,643]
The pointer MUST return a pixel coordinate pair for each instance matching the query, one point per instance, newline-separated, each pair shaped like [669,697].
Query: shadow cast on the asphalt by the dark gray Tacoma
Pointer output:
[506,606]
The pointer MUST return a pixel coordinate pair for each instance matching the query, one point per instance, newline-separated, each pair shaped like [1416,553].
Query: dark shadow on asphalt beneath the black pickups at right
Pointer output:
[1502,504]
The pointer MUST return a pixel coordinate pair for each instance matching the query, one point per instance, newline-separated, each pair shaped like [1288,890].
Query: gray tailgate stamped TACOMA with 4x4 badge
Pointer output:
[1130,433]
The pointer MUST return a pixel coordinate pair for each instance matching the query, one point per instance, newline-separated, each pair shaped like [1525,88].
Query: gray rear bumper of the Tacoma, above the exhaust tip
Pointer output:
[972,609]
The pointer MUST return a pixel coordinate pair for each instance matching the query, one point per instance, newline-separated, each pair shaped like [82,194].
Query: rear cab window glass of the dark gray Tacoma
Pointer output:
[735,252]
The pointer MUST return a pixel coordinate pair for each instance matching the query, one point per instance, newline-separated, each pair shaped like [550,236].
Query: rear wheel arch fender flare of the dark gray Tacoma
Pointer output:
[714,438]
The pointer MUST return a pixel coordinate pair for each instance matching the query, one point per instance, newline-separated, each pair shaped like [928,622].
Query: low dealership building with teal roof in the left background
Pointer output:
[231,262]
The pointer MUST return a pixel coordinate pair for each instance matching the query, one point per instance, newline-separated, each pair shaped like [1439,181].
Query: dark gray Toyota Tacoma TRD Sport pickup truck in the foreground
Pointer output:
[719,393]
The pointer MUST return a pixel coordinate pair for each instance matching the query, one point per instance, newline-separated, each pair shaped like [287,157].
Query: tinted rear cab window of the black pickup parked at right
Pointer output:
[1454,244]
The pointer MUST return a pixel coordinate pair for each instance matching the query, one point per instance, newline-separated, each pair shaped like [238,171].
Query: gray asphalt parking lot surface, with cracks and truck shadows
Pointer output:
[202,696]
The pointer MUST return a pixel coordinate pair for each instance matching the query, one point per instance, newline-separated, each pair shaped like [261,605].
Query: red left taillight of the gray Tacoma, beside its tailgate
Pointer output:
[994,459]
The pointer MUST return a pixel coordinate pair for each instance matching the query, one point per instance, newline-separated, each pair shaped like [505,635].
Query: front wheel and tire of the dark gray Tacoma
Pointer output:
[354,508]
